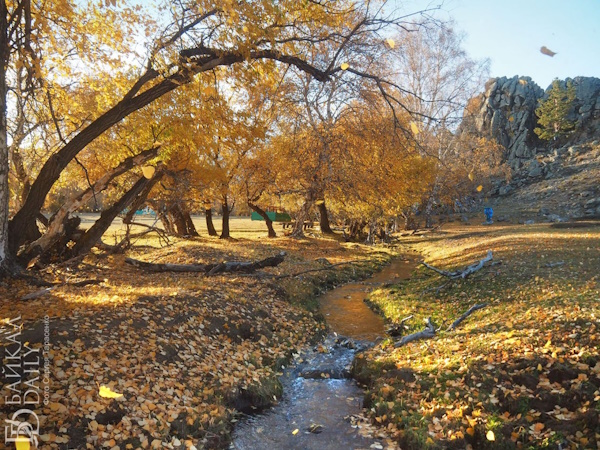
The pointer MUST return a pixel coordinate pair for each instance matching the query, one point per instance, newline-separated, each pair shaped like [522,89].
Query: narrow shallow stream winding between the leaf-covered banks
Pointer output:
[321,404]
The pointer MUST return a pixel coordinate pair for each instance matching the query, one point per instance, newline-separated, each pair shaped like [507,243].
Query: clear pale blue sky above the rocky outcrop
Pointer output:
[511,32]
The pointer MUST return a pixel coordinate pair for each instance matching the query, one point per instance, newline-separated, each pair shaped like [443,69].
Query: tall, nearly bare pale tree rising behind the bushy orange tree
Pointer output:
[435,67]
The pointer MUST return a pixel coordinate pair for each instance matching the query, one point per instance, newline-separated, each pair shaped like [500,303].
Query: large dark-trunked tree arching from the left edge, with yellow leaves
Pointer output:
[202,36]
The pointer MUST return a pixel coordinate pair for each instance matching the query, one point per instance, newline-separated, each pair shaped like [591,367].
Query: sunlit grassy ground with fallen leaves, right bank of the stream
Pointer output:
[524,372]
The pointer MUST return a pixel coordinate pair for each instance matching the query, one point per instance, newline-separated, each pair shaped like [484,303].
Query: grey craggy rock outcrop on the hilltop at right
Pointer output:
[506,112]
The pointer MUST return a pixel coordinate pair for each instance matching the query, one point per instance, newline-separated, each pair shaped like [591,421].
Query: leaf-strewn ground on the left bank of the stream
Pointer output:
[185,350]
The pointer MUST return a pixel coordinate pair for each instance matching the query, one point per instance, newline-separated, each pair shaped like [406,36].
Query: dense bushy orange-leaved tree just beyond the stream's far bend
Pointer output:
[381,174]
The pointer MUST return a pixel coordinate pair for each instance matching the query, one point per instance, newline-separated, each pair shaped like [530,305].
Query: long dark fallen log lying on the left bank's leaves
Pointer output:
[210,269]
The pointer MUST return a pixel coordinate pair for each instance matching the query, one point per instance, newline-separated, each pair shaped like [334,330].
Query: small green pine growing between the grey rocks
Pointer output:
[553,111]
